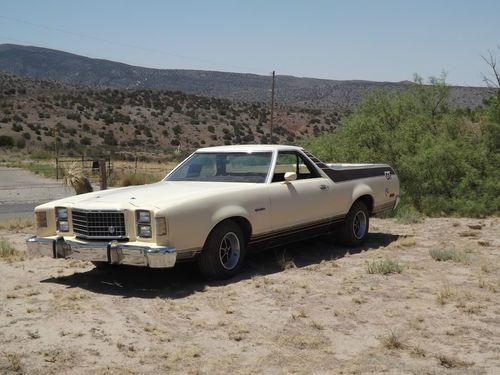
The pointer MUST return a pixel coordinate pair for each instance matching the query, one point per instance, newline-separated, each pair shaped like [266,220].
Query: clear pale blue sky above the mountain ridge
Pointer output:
[357,39]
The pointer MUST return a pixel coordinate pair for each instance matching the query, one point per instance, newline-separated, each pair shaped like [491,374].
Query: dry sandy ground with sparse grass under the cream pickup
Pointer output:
[309,308]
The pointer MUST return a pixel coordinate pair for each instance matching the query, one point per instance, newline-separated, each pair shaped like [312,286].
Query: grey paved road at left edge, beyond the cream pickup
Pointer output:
[21,191]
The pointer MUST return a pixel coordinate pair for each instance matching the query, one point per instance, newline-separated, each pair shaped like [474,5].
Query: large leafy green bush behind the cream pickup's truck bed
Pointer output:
[447,164]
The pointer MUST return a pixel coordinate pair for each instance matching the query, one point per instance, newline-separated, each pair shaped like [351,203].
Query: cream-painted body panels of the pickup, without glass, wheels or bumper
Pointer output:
[193,209]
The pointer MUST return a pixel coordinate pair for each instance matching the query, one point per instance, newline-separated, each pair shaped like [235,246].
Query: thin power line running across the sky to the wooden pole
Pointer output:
[128,45]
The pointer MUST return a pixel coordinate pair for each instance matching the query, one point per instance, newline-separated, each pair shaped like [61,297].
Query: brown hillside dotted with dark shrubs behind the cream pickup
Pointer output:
[158,122]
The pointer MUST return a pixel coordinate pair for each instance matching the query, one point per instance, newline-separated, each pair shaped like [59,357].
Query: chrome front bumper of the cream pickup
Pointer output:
[111,252]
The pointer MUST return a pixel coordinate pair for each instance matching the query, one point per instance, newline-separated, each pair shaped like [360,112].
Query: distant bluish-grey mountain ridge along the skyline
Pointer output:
[48,64]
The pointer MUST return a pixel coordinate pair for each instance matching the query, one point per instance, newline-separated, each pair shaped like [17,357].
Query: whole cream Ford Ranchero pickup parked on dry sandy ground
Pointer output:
[215,206]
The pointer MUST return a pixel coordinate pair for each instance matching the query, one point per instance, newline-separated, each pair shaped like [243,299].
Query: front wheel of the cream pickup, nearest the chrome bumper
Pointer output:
[224,252]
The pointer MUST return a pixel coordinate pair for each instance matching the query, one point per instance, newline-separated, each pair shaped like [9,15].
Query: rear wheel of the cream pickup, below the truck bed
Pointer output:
[354,229]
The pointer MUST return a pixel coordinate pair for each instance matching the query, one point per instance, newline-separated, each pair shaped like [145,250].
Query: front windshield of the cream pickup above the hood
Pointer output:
[224,167]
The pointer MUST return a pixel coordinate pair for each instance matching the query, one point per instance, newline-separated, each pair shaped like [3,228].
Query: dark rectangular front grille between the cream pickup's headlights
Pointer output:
[98,224]
